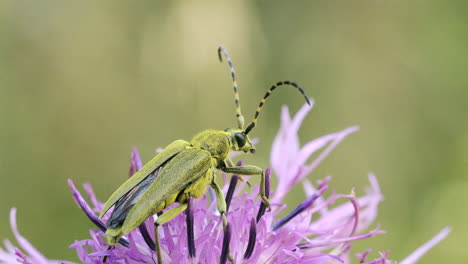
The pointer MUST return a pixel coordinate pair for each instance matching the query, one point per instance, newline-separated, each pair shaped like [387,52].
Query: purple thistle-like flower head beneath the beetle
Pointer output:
[321,229]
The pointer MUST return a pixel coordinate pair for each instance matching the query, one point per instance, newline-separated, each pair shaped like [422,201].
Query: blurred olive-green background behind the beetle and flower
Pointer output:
[82,82]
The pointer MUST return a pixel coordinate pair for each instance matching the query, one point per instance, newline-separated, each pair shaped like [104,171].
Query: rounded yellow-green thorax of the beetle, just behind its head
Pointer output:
[216,142]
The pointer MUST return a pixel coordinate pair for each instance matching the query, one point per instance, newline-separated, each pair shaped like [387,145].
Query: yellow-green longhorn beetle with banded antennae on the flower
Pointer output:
[183,170]
